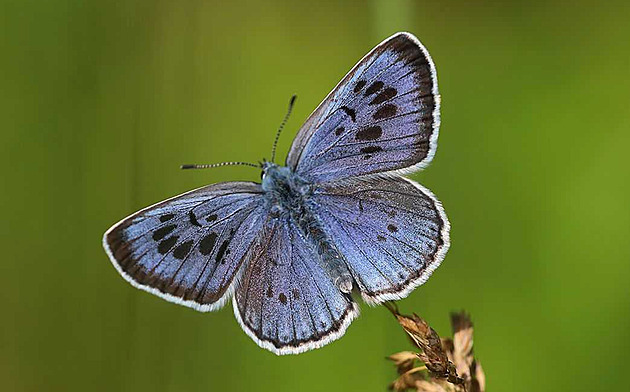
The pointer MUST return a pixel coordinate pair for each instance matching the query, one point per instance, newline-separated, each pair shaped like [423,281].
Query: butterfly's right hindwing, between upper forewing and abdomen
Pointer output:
[392,232]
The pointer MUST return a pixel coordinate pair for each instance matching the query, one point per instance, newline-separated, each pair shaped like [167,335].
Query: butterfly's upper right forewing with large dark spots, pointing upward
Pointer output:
[383,116]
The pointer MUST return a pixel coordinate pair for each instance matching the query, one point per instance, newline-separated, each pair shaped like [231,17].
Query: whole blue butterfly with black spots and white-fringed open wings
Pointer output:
[337,218]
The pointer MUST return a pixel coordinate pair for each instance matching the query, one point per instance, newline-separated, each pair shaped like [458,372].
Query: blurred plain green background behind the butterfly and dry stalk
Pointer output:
[101,101]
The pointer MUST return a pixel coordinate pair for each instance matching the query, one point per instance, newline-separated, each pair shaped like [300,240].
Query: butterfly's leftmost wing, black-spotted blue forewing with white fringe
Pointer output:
[189,249]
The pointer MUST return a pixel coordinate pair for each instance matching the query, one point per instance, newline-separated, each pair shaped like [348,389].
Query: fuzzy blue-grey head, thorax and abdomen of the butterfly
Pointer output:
[289,197]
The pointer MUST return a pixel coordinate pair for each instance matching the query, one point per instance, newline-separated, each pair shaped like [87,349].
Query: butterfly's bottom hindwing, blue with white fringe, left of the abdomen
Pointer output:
[285,301]
